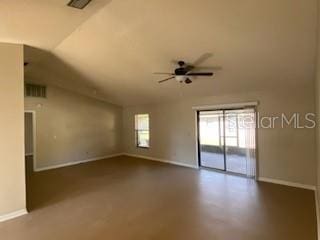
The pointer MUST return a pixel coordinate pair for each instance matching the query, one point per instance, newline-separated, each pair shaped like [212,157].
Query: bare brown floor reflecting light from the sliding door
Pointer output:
[130,198]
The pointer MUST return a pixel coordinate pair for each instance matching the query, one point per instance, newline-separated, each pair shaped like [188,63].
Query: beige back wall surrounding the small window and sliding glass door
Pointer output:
[284,154]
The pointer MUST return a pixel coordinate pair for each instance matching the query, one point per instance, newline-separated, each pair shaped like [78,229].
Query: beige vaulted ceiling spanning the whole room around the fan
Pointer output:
[110,49]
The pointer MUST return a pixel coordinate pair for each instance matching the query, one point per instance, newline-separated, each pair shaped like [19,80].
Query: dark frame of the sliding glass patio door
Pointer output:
[224,141]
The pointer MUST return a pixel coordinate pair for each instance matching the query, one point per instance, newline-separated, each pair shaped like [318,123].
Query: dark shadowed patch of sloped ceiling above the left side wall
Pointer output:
[45,67]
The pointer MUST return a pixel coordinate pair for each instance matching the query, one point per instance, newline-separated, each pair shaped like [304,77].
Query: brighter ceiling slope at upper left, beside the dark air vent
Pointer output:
[42,24]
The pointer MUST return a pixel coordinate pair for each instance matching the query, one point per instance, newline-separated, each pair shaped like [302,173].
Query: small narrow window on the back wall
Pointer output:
[142,130]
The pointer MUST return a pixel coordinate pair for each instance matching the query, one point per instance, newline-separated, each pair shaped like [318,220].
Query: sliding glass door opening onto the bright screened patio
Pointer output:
[227,140]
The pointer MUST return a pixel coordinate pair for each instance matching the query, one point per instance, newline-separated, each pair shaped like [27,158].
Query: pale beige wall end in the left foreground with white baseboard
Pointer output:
[12,174]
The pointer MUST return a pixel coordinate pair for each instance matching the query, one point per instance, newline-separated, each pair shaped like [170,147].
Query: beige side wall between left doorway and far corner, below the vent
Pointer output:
[71,127]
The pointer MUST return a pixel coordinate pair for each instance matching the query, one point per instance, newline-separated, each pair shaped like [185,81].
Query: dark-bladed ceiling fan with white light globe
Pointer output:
[184,73]
